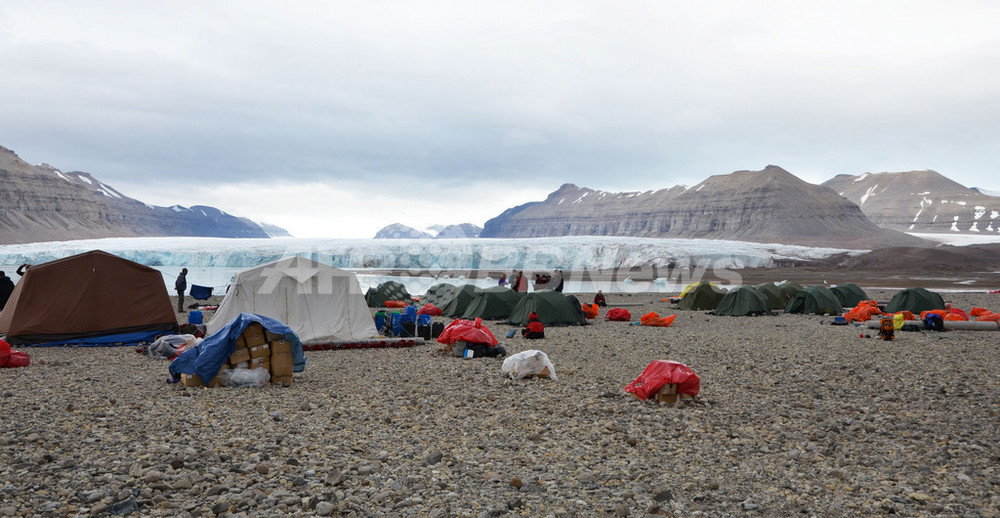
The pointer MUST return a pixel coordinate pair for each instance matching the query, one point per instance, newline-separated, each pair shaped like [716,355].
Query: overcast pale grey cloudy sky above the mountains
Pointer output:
[334,119]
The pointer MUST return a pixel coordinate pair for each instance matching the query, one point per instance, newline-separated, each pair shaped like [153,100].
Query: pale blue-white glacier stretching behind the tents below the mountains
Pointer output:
[213,261]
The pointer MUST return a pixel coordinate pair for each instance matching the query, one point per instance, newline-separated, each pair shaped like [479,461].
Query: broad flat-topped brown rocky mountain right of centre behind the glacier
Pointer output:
[771,205]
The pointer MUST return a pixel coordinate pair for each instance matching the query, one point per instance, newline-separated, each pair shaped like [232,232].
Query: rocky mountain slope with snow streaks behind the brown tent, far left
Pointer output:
[42,203]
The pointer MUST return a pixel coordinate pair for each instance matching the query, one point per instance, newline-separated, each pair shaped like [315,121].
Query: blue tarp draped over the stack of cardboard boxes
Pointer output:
[211,354]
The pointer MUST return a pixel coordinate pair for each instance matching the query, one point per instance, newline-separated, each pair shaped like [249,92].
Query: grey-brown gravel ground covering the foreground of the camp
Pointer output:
[795,417]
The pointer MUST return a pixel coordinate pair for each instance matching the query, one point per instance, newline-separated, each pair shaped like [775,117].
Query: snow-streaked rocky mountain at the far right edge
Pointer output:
[920,201]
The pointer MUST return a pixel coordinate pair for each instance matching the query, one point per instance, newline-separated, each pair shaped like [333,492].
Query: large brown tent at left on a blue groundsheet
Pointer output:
[86,295]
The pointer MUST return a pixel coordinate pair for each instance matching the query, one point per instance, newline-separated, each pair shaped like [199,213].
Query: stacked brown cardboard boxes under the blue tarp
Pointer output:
[256,348]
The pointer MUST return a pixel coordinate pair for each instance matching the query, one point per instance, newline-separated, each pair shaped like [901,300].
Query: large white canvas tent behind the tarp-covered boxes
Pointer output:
[319,302]
